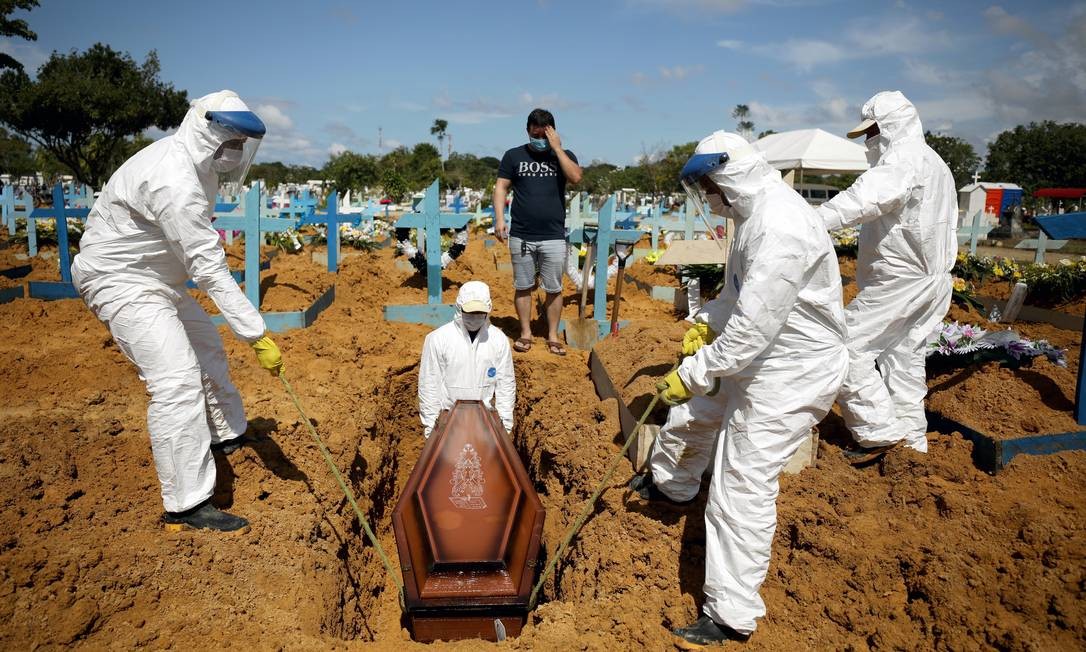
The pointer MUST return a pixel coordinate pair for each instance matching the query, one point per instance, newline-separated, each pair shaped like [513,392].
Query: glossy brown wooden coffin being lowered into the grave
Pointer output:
[469,526]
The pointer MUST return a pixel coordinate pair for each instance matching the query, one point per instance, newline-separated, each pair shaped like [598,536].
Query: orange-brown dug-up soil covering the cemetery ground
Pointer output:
[915,553]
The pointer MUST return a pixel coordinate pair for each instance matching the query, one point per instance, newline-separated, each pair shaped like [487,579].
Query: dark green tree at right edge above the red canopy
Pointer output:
[1040,156]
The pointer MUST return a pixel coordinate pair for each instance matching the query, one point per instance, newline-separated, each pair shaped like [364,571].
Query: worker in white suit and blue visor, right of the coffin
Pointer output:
[753,393]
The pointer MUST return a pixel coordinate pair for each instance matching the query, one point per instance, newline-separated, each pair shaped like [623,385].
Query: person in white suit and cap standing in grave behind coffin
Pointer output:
[468,359]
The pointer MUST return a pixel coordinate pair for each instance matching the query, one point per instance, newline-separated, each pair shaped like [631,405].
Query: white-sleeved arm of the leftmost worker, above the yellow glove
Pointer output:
[187,228]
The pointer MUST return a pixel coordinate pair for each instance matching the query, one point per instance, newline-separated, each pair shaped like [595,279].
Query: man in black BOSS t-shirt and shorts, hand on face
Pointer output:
[538,173]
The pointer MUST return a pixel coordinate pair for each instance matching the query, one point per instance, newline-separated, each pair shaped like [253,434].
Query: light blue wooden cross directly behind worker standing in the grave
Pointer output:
[430,218]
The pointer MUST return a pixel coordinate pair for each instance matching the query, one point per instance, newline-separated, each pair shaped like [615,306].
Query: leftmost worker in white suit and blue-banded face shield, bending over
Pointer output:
[148,233]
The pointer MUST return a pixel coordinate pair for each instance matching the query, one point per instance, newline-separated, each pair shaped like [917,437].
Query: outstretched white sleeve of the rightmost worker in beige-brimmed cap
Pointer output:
[877,193]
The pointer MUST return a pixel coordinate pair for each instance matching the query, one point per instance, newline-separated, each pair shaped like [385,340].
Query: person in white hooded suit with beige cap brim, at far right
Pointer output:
[908,208]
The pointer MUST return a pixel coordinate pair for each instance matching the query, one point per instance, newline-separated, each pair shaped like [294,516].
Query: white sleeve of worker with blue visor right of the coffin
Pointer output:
[773,272]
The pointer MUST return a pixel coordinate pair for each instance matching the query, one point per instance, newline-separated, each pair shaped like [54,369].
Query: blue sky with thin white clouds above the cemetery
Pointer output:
[623,77]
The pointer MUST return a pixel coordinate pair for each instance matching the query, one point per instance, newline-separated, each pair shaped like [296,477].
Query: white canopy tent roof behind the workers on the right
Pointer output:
[813,152]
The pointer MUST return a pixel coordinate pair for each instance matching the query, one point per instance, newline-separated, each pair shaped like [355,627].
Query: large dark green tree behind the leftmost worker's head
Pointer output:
[83,108]
